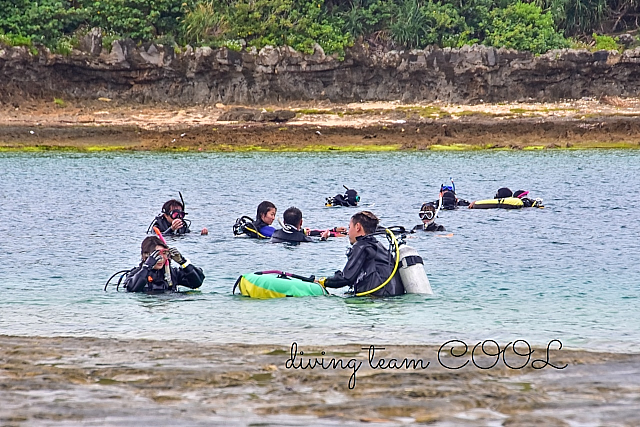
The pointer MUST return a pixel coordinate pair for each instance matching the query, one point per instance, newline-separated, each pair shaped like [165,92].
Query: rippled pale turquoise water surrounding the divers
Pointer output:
[568,272]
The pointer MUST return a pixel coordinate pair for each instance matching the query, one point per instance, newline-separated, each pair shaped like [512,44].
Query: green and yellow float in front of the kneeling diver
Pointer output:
[277,284]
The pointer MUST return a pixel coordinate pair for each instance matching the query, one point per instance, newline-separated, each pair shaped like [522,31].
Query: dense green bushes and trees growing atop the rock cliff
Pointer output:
[536,26]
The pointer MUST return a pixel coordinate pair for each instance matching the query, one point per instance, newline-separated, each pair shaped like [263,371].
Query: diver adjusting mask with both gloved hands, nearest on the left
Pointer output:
[155,275]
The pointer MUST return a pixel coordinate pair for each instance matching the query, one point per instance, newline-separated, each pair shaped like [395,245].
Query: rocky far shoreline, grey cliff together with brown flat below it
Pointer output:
[152,97]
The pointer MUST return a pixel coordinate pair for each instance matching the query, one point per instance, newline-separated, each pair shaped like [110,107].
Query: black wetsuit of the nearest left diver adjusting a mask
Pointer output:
[145,279]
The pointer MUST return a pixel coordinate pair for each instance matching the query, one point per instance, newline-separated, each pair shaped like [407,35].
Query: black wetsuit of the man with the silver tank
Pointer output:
[369,264]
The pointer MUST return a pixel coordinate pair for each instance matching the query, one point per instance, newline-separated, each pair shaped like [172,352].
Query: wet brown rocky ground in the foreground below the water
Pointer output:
[80,381]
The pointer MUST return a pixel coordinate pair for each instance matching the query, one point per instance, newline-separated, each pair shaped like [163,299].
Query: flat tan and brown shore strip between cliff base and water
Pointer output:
[118,125]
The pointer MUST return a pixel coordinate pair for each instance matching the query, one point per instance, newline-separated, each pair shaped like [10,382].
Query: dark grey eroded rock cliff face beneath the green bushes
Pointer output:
[155,73]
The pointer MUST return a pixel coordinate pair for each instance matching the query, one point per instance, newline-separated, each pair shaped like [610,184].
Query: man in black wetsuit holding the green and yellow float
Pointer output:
[369,263]
